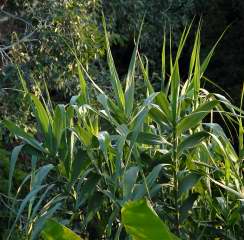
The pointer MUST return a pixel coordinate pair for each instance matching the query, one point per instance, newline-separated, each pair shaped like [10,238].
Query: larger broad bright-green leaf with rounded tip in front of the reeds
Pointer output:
[142,222]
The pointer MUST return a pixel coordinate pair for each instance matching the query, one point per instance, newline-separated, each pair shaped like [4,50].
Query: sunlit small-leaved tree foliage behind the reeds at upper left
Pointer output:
[42,52]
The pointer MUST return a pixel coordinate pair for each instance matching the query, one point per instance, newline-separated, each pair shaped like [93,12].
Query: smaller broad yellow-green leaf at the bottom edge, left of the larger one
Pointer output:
[56,231]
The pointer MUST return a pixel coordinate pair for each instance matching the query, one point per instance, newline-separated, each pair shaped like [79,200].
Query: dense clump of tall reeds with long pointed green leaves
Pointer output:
[91,157]
